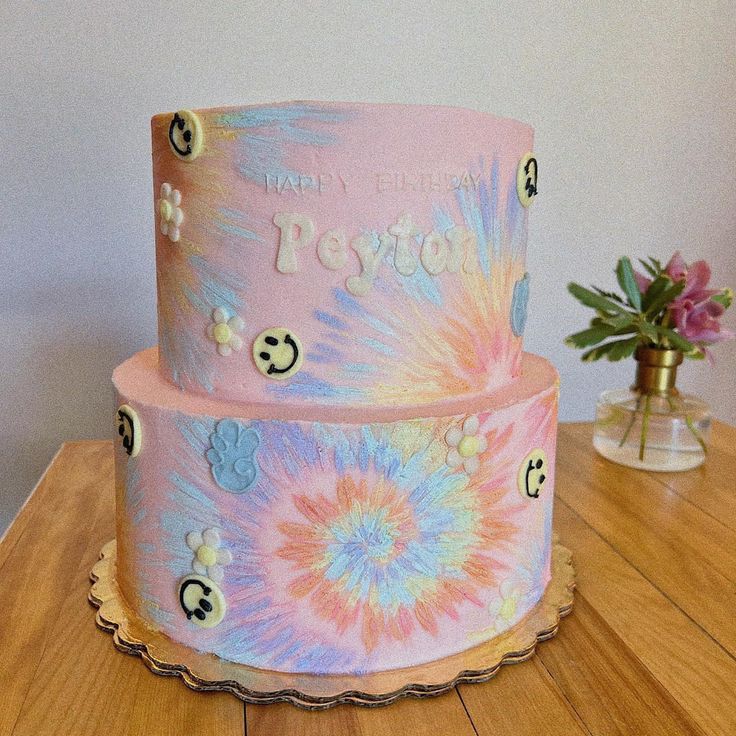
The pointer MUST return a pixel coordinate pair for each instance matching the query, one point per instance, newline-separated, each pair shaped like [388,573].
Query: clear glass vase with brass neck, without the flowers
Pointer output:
[652,426]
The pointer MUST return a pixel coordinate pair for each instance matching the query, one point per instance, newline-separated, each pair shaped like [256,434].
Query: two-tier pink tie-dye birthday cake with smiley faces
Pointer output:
[338,460]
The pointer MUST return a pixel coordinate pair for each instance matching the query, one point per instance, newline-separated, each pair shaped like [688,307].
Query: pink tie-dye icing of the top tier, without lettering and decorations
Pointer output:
[412,339]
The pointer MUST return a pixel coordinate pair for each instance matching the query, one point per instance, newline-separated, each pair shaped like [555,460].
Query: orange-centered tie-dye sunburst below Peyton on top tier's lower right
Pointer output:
[421,340]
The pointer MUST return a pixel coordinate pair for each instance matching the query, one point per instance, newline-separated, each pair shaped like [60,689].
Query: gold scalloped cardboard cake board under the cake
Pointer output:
[202,671]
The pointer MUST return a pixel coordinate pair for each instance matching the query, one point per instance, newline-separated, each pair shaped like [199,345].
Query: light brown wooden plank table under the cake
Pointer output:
[650,647]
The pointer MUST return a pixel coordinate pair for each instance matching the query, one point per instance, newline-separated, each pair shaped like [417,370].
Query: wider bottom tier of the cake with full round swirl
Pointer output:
[332,541]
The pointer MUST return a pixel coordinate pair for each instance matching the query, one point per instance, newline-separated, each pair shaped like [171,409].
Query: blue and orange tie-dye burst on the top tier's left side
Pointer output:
[204,270]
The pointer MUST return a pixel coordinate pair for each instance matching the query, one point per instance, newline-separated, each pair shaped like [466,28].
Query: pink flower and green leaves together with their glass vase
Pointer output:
[664,315]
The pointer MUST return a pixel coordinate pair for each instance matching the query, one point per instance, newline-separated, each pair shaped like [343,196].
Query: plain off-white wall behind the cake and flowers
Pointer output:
[633,104]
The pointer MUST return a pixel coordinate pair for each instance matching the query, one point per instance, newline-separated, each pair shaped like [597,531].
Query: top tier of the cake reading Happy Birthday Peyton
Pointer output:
[341,253]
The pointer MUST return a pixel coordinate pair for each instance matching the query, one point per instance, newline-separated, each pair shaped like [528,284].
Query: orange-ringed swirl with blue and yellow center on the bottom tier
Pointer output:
[385,558]
